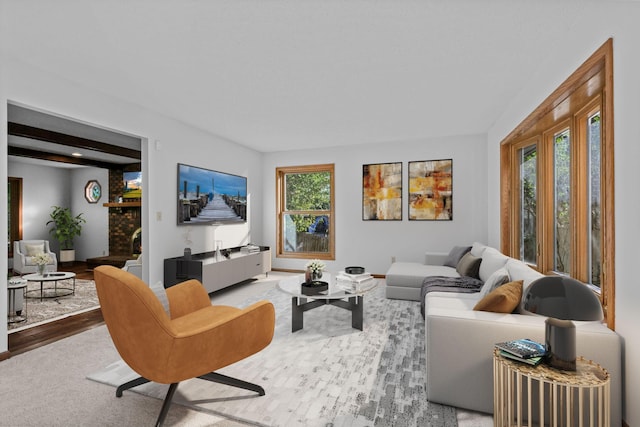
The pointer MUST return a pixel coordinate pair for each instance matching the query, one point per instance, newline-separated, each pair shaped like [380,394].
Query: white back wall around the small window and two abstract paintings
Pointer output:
[373,243]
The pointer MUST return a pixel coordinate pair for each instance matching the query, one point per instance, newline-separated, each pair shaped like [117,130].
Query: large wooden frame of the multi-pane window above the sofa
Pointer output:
[571,102]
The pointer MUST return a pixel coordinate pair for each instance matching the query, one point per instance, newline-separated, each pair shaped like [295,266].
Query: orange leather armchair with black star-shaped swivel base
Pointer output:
[195,340]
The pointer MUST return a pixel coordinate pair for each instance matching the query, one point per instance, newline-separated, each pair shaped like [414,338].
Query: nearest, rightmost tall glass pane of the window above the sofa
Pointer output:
[595,226]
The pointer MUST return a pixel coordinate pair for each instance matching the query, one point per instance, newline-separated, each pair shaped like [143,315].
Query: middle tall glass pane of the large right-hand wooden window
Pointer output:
[562,202]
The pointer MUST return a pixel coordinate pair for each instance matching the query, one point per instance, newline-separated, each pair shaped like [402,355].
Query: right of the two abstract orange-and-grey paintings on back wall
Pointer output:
[430,190]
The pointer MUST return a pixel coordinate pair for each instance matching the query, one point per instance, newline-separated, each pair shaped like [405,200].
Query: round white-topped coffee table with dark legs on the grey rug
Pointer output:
[352,300]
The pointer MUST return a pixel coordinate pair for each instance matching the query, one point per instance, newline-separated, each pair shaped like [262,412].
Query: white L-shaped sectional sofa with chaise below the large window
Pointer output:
[459,341]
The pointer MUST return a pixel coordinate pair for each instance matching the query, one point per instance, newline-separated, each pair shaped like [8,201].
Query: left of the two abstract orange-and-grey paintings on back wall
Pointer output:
[382,192]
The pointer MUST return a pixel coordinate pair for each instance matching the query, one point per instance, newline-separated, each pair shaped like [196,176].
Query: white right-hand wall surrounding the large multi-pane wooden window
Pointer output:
[597,23]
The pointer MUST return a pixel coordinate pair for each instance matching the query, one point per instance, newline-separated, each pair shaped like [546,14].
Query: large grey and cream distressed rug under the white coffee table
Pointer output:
[327,374]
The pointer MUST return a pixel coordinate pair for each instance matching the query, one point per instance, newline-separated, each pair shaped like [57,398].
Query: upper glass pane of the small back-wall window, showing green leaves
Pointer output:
[308,191]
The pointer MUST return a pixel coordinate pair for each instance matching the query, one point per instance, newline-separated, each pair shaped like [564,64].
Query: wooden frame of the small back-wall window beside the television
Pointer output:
[281,172]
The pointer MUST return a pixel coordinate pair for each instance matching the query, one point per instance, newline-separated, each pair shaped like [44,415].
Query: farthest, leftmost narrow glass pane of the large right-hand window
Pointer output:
[528,204]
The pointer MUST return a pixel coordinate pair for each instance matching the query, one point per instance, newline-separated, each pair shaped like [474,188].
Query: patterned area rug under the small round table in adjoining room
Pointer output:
[48,309]
